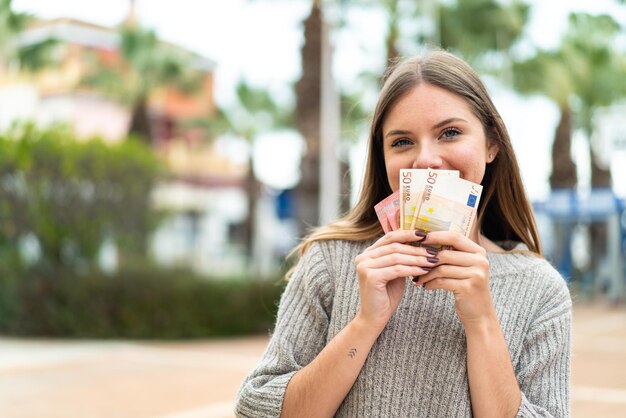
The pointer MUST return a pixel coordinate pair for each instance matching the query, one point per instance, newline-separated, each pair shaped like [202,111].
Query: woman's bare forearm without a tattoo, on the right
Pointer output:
[494,389]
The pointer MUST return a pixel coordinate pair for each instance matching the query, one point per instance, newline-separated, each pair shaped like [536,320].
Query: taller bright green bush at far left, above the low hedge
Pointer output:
[71,195]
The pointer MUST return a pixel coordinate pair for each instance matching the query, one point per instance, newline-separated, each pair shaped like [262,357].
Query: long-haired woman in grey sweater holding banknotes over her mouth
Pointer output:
[484,328]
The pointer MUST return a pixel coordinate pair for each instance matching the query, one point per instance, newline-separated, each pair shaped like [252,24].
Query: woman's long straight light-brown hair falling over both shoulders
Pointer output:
[505,213]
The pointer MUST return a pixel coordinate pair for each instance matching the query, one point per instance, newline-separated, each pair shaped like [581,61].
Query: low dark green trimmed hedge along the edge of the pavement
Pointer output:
[147,303]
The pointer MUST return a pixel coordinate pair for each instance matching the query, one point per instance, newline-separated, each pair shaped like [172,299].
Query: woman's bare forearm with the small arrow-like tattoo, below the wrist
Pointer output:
[318,389]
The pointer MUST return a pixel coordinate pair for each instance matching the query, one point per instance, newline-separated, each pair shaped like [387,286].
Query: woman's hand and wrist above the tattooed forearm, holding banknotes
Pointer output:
[381,270]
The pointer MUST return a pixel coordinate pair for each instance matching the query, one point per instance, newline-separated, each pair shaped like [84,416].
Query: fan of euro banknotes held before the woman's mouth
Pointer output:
[430,200]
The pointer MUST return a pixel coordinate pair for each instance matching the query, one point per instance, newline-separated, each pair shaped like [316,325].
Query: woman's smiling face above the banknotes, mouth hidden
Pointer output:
[430,127]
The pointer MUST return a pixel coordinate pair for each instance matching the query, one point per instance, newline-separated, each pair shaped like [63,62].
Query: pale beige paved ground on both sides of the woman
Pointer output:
[92,379]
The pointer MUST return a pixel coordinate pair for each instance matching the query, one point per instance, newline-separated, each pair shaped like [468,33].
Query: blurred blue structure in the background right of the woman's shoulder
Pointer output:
[566,209]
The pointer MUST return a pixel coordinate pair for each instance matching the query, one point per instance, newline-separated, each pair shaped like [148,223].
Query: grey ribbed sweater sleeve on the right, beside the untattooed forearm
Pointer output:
[543,370]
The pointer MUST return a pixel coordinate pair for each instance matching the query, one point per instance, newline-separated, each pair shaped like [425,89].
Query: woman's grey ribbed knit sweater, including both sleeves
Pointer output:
[417,367]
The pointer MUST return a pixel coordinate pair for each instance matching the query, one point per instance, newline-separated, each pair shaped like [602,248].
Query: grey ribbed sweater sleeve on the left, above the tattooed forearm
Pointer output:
[299,335]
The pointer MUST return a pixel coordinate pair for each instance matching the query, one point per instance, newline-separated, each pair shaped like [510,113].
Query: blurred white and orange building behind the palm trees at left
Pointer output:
[205,195]
